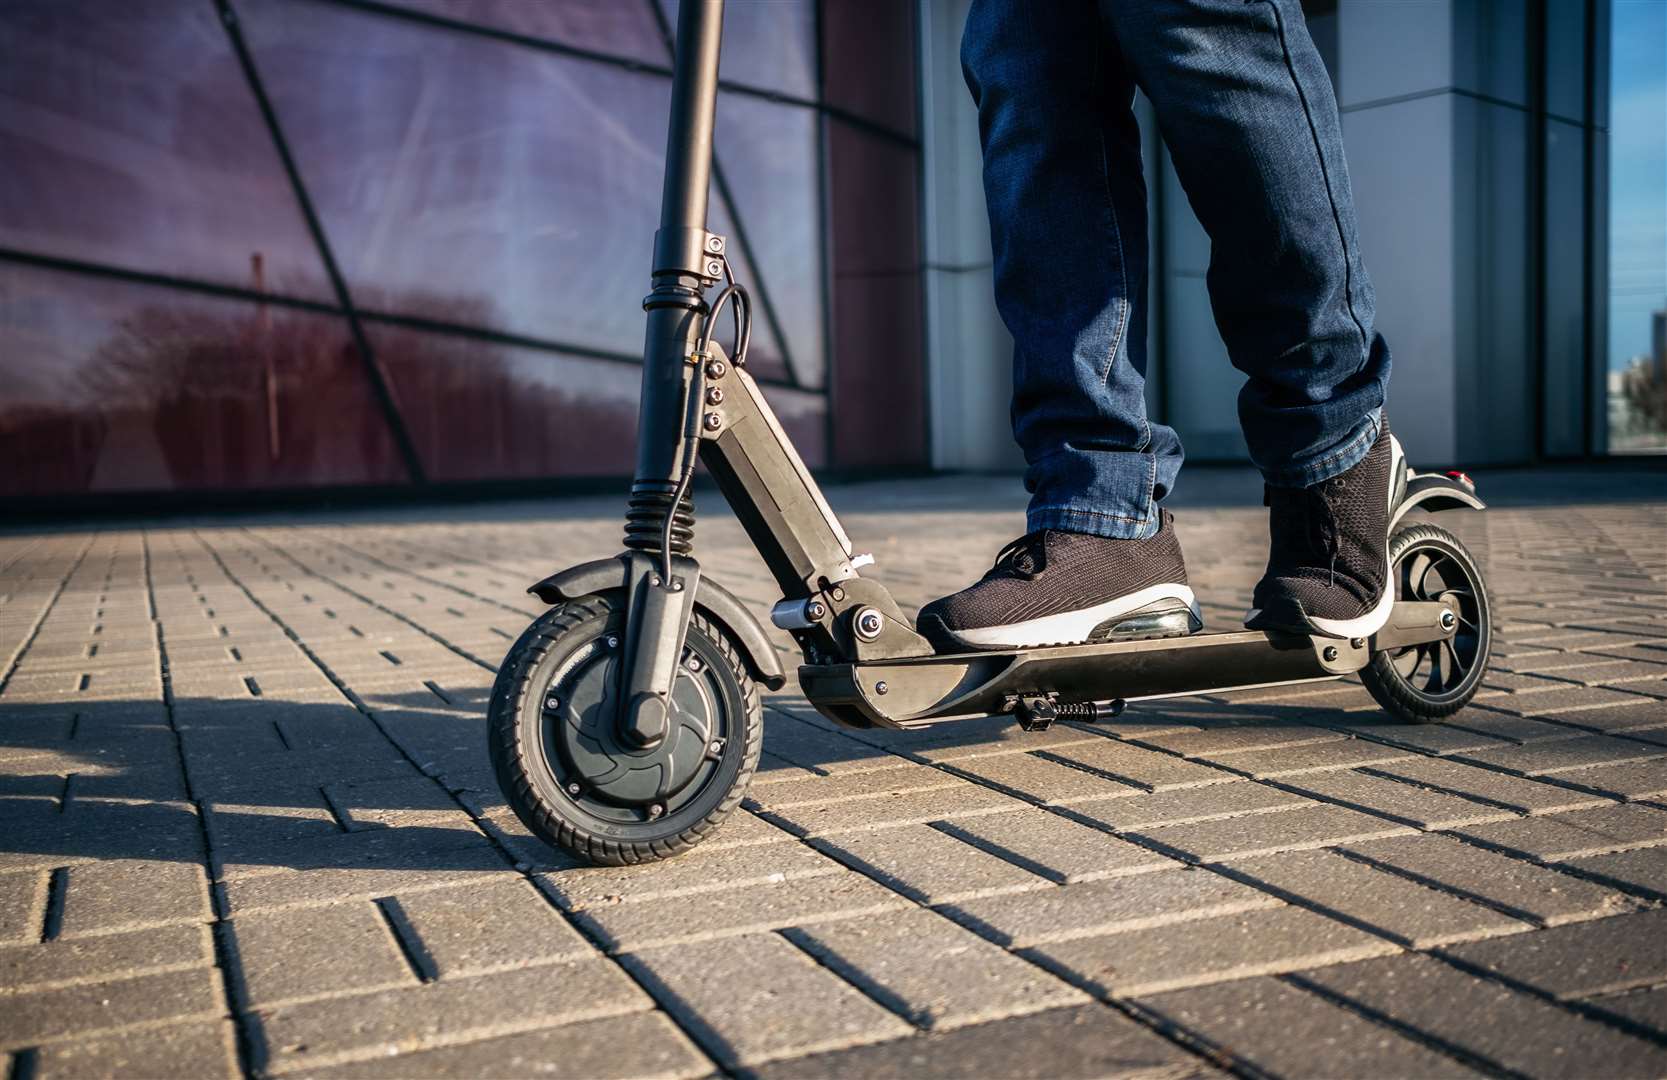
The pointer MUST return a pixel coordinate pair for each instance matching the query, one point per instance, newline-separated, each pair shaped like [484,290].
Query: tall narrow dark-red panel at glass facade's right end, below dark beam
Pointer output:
[879,364]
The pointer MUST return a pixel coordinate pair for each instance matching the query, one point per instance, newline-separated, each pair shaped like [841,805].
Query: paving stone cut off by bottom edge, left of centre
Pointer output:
[611,1049]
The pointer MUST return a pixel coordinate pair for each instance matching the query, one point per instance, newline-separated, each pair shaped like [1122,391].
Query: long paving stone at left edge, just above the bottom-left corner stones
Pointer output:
[43,1016]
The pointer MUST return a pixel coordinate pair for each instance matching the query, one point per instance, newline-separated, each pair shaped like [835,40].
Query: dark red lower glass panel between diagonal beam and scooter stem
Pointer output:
[481,411]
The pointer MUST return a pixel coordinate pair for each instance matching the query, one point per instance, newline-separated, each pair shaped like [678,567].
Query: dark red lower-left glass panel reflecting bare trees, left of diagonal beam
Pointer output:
[114,386]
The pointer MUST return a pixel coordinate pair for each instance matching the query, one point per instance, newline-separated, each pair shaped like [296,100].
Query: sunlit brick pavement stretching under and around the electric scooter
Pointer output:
[251,829]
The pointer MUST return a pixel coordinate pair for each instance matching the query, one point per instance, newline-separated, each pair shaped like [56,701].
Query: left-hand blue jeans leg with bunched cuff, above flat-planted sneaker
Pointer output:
[1069,236]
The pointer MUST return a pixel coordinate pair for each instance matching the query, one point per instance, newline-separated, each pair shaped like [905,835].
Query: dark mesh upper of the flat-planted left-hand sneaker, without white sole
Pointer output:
[1051,572]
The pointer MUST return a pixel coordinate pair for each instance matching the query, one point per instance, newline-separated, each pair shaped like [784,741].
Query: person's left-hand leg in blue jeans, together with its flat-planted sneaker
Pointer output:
[1068,227]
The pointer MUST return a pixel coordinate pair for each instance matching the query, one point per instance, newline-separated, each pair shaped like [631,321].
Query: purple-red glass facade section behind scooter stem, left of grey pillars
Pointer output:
[294,244]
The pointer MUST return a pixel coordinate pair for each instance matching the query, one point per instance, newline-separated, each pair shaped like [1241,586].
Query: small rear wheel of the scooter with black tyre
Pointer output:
[1424,684]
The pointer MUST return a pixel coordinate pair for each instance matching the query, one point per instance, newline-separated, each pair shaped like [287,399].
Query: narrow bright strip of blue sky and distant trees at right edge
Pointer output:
[1638,227]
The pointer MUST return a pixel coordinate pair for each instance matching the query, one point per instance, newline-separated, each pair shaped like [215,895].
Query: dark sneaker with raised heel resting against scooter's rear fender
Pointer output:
[1328,569]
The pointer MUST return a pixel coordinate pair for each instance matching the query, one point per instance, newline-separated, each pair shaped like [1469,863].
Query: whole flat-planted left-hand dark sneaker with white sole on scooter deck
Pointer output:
[1058,587]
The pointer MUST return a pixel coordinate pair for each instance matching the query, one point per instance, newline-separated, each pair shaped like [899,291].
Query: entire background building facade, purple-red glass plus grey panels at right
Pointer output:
[256,246]
